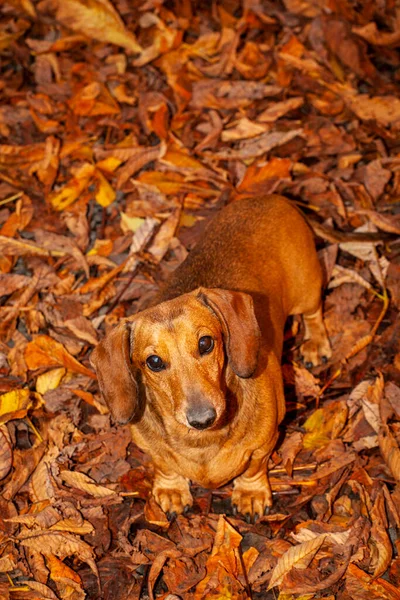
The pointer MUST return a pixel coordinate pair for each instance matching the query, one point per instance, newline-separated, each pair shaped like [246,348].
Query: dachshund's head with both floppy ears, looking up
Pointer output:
[179,350]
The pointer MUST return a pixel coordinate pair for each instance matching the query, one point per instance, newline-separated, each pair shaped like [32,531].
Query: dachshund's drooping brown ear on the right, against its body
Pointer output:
[235,312]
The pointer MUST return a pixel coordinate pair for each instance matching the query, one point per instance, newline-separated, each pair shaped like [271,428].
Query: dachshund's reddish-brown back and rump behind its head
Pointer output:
[261,246]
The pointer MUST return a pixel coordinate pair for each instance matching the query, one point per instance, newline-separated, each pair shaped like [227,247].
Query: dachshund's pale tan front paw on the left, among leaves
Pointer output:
[171,491]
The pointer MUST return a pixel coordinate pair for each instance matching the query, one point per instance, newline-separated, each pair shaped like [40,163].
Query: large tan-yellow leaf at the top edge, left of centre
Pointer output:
[97,19]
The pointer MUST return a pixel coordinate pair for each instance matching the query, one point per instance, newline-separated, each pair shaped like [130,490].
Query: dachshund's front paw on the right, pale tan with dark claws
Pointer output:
[251,497]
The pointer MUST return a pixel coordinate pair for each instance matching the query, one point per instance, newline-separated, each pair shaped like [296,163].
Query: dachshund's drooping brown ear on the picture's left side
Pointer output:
[112,362]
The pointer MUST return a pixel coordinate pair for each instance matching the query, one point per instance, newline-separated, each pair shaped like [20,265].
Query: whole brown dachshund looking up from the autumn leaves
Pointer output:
[199,372]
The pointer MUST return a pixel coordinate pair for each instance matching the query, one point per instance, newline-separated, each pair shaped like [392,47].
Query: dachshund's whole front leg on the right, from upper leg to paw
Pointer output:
[252,495]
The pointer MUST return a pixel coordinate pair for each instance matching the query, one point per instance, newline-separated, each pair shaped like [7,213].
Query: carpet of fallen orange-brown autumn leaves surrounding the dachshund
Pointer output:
[124,126]
